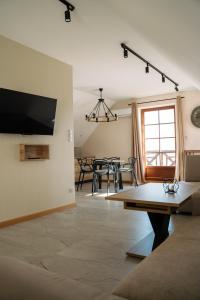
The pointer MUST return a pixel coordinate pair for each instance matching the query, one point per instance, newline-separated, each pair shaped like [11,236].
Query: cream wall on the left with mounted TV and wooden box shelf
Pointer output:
[32,186]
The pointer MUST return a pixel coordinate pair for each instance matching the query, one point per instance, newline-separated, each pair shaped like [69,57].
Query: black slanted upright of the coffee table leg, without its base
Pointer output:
[160,224]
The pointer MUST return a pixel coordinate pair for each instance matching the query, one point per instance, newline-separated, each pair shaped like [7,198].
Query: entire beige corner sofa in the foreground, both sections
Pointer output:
[171,272]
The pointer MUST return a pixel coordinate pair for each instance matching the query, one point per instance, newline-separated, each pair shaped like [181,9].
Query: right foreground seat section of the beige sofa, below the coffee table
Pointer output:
[172,272]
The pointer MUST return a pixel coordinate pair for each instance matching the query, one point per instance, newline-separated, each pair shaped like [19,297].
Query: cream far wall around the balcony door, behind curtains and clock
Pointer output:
[115,138]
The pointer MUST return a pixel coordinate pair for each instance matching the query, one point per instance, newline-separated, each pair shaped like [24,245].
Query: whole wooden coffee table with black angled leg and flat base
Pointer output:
[159,206]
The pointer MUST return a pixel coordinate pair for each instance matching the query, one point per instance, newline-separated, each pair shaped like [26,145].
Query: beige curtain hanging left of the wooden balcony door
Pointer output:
[136,145]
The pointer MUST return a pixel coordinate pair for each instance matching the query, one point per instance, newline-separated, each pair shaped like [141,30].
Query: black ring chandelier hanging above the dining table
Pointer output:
[101,112]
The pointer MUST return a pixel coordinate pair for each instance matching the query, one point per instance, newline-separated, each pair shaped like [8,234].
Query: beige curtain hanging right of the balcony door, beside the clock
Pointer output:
[180,163]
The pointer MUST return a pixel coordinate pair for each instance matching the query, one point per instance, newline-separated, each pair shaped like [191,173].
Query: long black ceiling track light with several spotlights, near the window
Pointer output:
[148,65]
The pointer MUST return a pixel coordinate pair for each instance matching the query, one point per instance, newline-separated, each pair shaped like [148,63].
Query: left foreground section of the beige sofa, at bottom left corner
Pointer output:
[23,281]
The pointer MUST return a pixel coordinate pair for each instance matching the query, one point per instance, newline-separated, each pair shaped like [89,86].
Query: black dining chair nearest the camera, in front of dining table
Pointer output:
[102,167]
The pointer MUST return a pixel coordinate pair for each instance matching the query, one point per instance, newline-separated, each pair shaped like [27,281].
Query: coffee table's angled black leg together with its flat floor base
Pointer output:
[160,224]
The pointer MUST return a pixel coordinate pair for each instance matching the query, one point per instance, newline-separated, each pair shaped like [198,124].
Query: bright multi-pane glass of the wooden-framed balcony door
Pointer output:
[159,145]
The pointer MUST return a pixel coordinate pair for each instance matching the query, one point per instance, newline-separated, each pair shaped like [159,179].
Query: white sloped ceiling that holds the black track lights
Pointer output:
[164,32]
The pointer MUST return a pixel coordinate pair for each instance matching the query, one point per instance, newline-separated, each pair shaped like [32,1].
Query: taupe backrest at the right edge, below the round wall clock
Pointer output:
[192,168]
